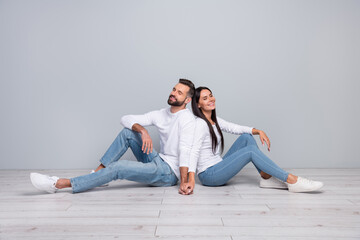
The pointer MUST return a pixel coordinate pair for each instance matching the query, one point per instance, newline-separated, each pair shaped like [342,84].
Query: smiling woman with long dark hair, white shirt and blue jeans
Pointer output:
[209,143]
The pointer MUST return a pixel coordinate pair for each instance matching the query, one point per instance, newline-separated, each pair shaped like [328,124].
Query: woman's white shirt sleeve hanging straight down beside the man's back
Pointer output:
[198,139]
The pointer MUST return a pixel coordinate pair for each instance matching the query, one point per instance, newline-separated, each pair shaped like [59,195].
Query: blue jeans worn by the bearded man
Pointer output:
[149,168]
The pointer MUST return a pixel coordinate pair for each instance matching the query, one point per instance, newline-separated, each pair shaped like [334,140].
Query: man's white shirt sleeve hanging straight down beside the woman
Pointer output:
[186,134]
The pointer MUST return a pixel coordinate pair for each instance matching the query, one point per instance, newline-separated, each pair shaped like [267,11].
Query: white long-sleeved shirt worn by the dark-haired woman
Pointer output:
[202,155]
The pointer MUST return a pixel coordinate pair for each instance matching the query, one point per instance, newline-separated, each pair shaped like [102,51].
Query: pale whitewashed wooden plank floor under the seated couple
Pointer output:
[128,210]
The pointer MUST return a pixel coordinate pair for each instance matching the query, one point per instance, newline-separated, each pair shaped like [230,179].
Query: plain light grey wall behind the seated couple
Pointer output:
[70,69]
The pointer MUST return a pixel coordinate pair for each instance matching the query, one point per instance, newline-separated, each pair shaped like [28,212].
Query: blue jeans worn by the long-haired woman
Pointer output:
[243,151]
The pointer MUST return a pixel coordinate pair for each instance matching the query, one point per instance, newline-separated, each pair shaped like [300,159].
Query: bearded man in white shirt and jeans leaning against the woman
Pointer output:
[176,127]
